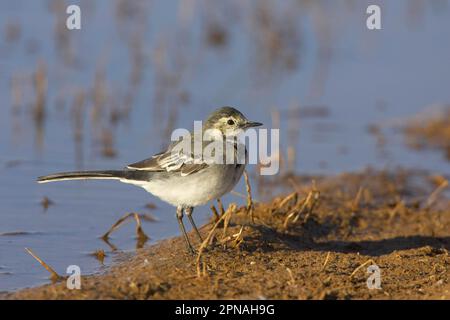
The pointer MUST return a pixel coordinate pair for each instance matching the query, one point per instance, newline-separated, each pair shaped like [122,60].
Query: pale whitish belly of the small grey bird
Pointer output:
[195,189]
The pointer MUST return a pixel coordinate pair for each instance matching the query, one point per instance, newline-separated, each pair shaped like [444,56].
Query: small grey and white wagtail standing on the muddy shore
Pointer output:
[178,176]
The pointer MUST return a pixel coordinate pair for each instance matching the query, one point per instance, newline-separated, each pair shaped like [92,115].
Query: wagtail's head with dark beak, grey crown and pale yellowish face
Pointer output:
[229,121]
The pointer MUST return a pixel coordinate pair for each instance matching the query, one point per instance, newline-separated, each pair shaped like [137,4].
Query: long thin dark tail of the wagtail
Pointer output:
[88,175]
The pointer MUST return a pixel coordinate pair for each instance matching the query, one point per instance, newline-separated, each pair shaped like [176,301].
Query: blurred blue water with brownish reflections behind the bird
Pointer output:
[111,93]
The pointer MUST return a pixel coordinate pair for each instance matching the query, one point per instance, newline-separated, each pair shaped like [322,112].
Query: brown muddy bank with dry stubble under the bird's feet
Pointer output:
[313,242]
